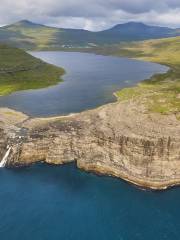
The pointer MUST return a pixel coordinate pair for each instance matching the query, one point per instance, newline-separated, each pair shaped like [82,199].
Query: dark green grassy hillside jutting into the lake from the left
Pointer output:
[21,71]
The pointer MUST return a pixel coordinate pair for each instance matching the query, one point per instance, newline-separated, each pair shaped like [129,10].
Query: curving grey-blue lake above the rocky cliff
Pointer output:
[90,81]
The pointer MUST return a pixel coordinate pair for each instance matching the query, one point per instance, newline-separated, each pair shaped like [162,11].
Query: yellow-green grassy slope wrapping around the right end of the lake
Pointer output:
[162,92]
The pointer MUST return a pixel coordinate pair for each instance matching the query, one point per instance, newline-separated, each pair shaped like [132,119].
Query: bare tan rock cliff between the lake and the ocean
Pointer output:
[120,139]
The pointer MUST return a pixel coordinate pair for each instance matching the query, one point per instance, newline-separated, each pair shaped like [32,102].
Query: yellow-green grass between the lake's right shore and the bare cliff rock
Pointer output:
[159,94]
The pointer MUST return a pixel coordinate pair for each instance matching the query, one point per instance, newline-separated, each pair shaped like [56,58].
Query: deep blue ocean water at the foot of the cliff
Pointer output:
[61,202]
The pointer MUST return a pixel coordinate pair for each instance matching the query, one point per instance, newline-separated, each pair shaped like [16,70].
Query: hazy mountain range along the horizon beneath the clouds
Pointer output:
[28,35]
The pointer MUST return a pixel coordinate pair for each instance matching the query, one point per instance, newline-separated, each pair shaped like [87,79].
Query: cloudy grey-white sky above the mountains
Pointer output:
[91,14]
